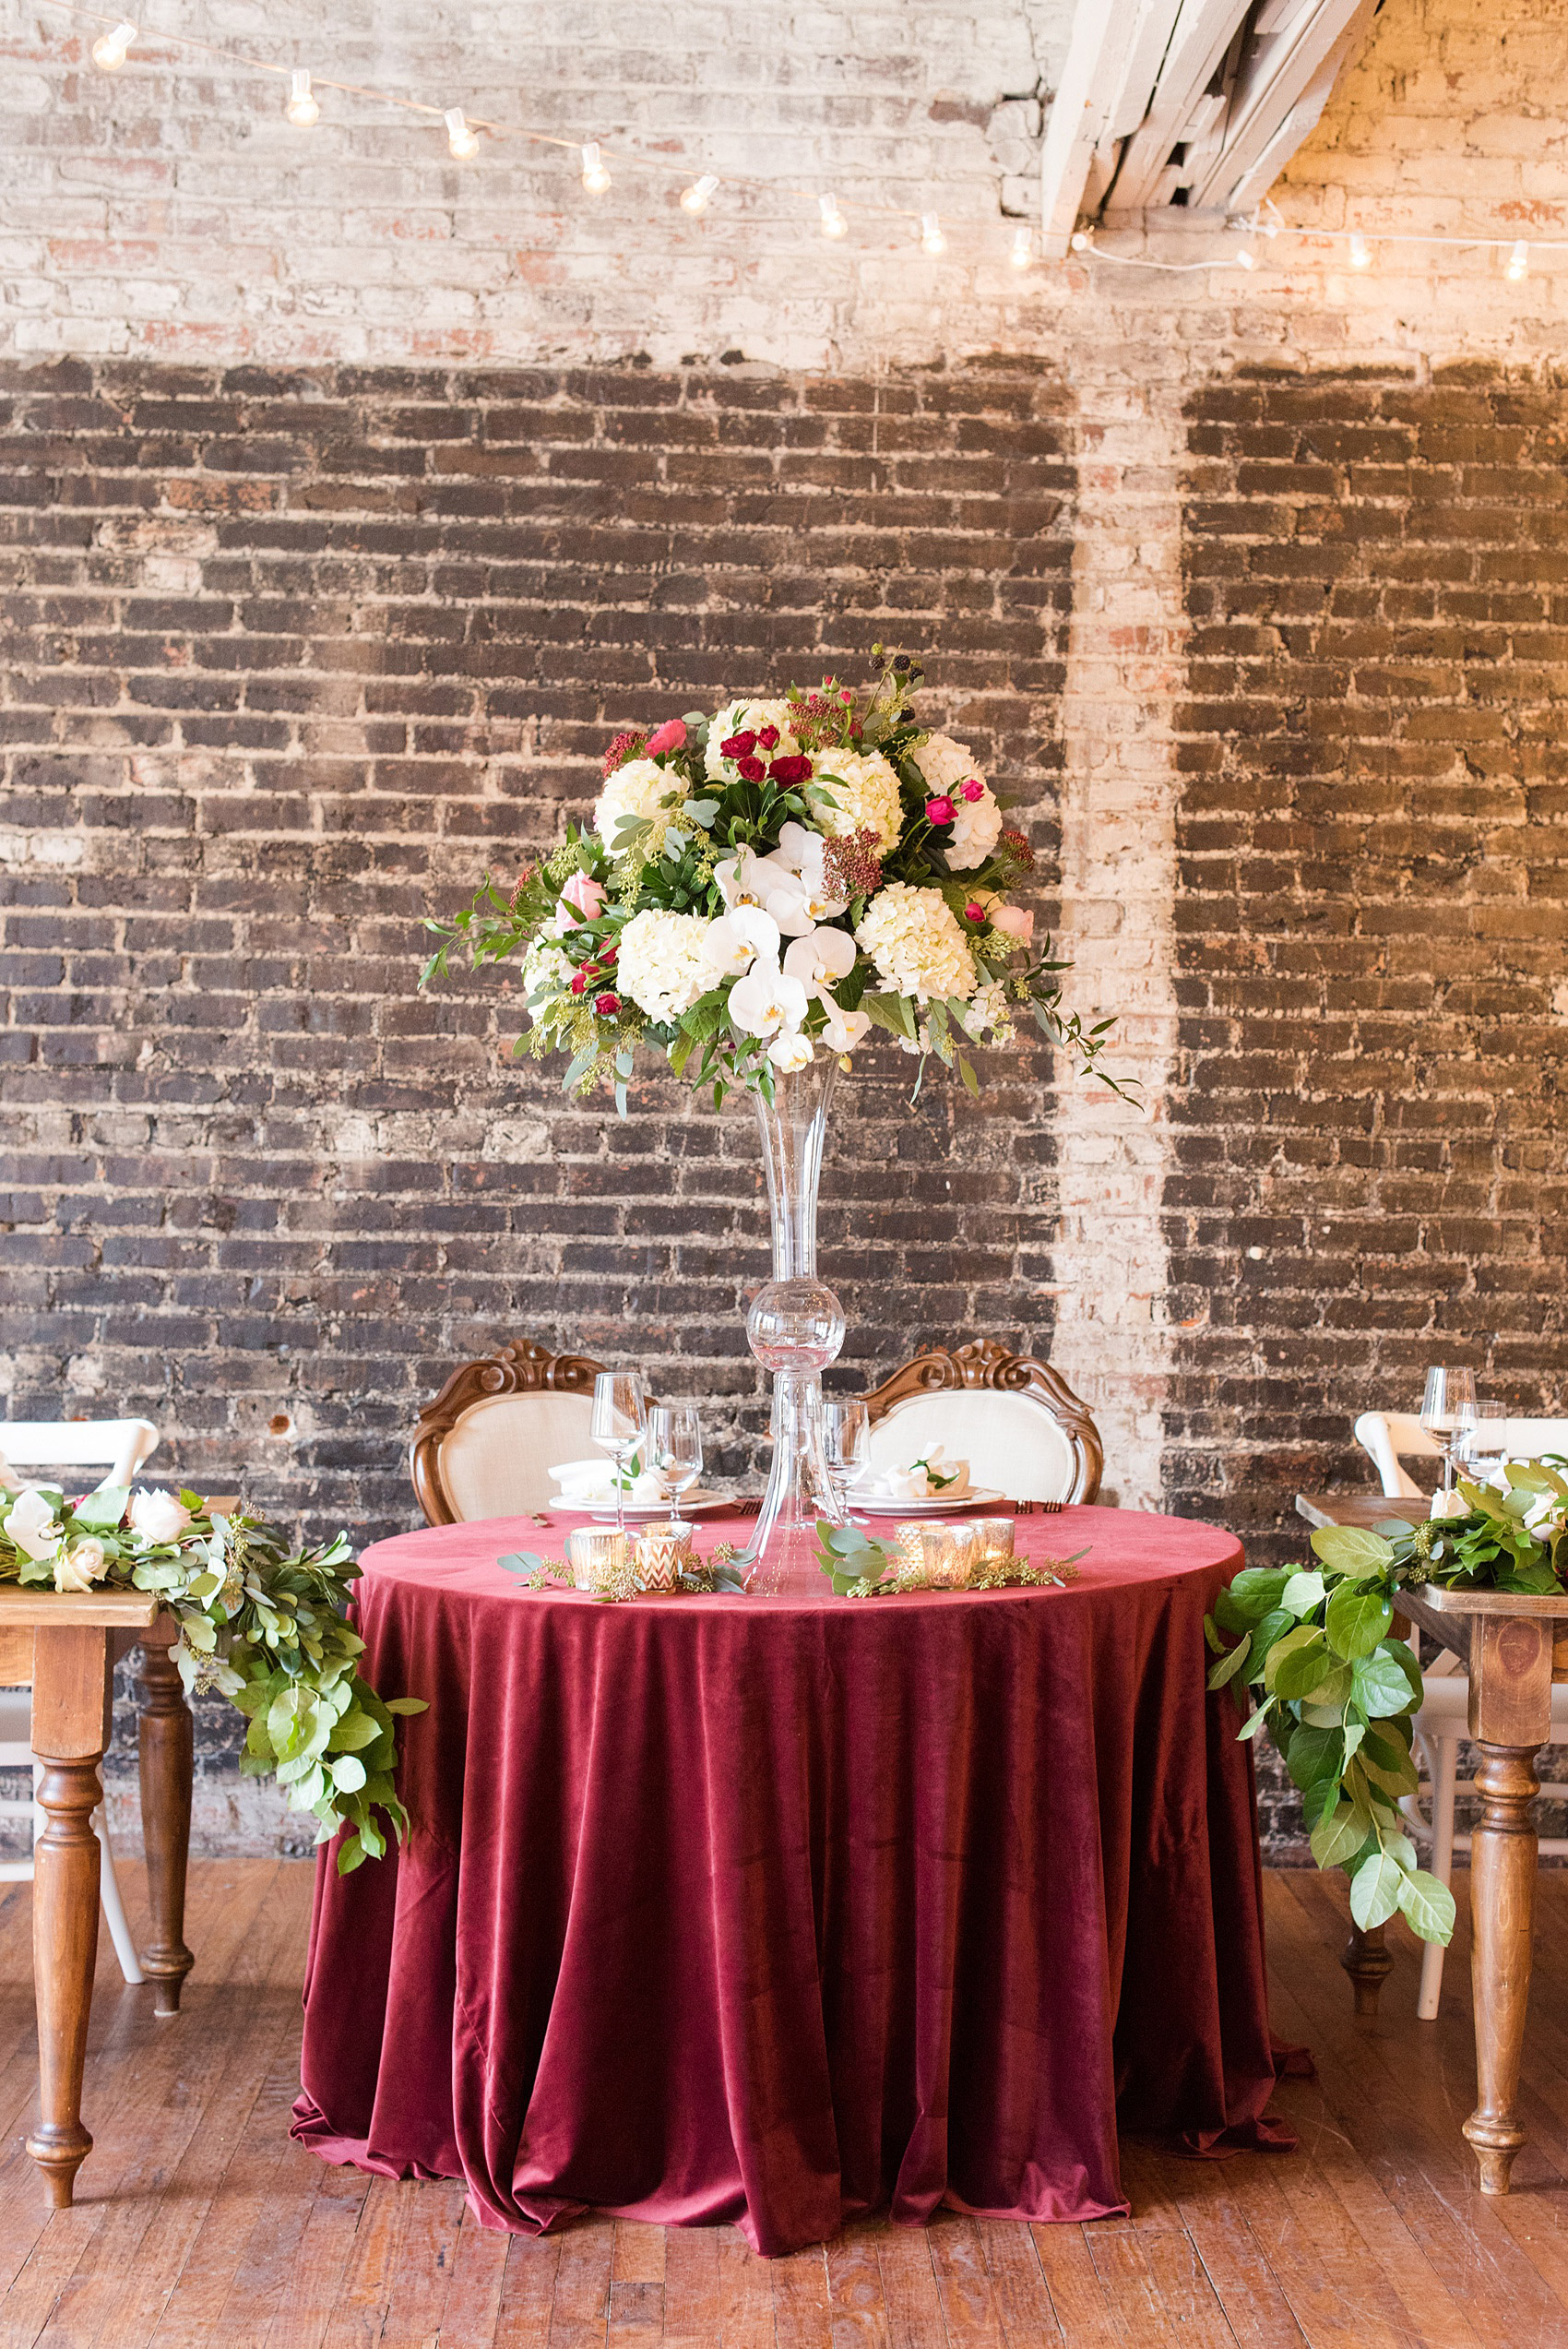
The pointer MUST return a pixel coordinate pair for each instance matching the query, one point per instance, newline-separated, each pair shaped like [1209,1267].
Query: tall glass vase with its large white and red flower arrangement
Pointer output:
[755,896]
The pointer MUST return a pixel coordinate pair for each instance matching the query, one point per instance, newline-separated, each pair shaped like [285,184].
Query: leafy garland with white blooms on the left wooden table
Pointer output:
[259,1622]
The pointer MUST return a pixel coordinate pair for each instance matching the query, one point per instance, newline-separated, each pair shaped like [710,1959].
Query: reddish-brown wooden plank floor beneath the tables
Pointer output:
[203,2228]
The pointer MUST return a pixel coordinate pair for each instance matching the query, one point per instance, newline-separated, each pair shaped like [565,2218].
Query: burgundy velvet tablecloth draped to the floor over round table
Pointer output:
[773,1911]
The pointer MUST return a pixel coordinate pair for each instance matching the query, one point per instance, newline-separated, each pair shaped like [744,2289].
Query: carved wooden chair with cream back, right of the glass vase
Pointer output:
[1013,1418]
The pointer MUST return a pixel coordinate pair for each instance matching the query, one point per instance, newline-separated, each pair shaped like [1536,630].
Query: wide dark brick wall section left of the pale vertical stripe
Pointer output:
[290,661]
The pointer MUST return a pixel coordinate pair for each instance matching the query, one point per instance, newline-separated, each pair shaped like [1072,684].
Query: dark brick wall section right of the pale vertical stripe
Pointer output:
[1370,1115]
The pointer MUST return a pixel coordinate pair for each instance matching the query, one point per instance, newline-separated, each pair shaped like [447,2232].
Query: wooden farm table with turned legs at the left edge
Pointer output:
[67,1648]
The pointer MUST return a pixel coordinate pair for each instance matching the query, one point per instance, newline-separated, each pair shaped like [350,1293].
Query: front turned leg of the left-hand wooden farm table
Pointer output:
[69,1739]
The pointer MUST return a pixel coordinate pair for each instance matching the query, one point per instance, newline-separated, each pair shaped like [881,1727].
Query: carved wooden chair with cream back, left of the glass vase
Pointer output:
[485,1448]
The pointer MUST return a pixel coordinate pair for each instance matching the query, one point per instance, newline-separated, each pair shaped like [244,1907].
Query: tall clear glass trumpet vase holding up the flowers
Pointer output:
[795,1331]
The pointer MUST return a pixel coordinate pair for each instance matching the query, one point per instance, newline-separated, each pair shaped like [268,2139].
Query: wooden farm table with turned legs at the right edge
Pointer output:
[1513,1650]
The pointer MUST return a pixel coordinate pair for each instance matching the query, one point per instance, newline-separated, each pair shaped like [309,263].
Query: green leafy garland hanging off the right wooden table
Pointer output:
[1337,1692]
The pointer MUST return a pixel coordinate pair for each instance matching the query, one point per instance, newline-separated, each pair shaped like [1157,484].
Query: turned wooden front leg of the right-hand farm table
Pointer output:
[1503,1913]
